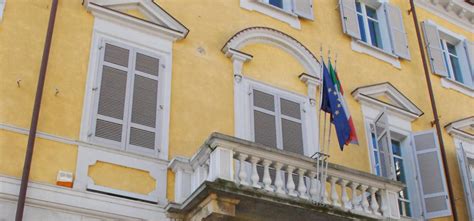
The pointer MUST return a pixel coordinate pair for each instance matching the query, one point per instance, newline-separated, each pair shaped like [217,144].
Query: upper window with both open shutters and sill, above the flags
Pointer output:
[377,29]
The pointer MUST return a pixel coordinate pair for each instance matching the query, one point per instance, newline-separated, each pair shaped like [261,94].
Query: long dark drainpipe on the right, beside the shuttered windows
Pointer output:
[435,110]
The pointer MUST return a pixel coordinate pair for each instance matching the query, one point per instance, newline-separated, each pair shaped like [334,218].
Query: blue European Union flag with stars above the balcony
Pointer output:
[332,104]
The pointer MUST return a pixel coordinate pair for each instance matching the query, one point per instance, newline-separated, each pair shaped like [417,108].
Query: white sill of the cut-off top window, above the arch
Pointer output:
[272,11]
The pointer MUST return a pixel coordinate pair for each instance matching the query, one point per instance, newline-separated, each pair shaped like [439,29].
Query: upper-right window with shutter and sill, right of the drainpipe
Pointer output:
[451,56]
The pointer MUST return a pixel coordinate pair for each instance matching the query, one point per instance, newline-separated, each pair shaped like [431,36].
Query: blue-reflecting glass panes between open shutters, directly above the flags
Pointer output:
[369,25]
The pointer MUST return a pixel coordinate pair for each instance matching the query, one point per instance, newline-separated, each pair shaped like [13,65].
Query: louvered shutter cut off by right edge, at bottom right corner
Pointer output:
[463,162]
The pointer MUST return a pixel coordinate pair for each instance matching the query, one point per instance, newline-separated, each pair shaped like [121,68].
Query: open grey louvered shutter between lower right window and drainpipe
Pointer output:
[431,176]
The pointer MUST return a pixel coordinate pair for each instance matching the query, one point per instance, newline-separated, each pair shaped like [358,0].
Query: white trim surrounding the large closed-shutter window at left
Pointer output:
[104,29]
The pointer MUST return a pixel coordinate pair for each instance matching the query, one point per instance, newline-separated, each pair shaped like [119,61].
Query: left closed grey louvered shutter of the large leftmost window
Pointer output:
[109,121]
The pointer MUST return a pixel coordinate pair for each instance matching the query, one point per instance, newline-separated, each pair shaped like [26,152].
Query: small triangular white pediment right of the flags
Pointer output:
[386,96]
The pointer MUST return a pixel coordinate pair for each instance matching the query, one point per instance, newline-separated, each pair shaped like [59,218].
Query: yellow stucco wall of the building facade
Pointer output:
[202,85]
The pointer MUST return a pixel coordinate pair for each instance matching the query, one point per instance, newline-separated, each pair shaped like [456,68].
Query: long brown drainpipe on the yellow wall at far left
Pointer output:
[36,110]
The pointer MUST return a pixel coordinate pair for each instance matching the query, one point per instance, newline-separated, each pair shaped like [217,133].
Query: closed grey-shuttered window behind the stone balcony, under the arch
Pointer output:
[277,121]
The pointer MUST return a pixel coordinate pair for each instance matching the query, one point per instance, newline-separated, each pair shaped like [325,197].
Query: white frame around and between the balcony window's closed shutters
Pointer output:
[277,95]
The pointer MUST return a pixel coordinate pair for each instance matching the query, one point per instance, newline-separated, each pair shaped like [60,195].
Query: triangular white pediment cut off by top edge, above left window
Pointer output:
[141,14]
